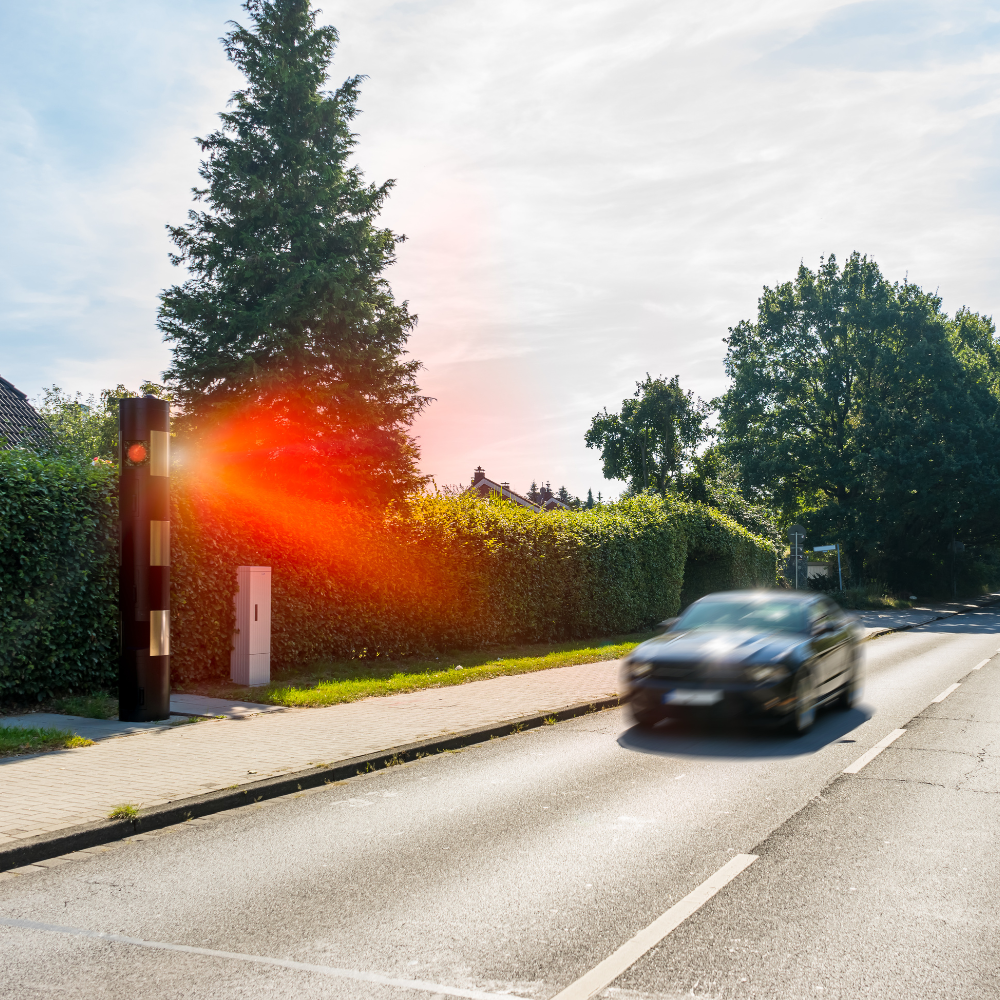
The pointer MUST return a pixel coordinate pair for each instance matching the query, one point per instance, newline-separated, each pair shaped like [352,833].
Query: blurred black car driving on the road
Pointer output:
[768,655]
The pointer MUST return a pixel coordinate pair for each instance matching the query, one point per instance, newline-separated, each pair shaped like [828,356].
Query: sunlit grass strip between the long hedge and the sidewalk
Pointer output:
[333,682]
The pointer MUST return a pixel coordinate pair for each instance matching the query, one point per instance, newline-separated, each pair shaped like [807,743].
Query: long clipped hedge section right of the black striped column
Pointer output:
[436,573]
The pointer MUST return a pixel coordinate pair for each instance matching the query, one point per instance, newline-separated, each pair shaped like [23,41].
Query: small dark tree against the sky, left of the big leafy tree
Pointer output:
[654,438]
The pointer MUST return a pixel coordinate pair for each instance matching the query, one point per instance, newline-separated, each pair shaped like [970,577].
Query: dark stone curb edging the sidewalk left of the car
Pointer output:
[79,838]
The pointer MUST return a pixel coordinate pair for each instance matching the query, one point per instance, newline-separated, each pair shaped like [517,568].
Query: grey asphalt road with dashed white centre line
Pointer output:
[517,866]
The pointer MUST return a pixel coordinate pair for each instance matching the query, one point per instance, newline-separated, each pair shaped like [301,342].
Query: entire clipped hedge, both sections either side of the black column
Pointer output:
[427,574]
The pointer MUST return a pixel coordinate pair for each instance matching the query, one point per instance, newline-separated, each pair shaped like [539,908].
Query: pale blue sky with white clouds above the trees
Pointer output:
[590,190]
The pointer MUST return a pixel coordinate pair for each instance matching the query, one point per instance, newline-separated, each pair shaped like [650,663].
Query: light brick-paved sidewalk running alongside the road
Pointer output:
[45,794]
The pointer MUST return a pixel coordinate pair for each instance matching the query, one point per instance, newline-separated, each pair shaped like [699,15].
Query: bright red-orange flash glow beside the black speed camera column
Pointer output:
[320,509]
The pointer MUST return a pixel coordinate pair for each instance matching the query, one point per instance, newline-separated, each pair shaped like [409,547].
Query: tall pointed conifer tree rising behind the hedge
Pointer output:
[287,343]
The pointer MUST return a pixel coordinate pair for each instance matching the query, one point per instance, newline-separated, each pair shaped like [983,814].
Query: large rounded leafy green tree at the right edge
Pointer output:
[858,407]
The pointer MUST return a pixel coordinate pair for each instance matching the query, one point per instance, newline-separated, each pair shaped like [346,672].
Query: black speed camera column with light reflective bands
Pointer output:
[144,572]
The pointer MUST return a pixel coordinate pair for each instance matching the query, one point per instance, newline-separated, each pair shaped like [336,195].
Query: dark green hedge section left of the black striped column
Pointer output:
[58,577]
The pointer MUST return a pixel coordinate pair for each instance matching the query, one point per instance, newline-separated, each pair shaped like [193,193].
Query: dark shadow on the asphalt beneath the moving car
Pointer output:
[679,737]
